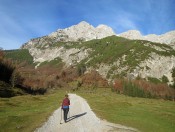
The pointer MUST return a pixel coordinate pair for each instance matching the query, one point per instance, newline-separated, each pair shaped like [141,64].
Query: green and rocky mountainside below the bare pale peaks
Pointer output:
[112,57]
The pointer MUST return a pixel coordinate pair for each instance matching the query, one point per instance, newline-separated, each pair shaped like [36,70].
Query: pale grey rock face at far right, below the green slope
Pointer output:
[156,66]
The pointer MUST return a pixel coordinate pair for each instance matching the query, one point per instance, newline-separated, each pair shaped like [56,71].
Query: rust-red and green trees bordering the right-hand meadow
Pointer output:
[142,88]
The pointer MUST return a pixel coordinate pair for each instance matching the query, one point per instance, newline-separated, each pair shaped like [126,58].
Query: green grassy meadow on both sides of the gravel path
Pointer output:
[25,113]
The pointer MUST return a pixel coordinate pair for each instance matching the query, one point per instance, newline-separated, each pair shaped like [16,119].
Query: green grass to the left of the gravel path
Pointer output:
[25,113]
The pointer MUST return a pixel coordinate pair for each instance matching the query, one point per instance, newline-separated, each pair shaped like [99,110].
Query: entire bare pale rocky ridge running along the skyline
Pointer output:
[83,31]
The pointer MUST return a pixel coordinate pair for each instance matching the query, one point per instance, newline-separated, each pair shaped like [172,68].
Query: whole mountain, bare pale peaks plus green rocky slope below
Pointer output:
[129,54]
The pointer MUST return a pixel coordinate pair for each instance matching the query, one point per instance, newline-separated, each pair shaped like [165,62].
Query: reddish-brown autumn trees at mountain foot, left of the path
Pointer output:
[45,78]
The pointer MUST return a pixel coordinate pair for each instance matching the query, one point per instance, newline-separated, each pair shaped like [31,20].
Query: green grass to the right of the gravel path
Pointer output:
[147,115]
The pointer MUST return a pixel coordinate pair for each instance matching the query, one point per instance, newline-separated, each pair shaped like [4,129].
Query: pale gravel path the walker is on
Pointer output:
[81,119]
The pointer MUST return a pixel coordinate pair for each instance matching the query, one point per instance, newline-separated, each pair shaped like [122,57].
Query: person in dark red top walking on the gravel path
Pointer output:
[65,107]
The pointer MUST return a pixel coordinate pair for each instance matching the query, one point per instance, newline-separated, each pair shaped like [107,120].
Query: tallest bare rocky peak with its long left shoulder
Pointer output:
[83,31]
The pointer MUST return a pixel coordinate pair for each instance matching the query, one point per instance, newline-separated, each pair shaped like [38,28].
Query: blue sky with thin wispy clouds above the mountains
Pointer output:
[22,20]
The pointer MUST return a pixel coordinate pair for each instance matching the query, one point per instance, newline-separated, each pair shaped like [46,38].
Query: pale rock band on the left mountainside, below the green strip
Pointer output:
[69,56]
